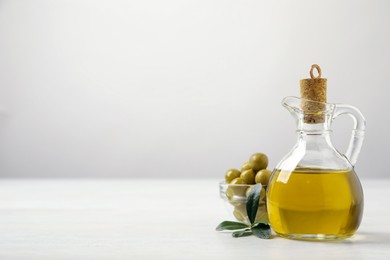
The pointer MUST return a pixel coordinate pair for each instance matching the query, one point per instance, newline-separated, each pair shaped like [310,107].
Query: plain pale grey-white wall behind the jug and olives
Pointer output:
[180,88]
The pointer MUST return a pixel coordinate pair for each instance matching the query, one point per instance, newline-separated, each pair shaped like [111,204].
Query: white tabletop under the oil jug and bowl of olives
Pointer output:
[158,219]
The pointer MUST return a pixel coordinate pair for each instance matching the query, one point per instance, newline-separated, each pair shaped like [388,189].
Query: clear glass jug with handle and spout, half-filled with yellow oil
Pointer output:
[314,193]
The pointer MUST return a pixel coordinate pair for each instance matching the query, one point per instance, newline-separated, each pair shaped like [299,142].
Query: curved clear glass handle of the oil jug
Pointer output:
[356,142]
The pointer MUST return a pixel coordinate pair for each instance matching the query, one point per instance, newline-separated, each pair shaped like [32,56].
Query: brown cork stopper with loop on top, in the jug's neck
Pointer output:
[313,89]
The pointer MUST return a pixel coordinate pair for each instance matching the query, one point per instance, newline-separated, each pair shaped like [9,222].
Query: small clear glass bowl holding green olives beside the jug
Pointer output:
[235,198]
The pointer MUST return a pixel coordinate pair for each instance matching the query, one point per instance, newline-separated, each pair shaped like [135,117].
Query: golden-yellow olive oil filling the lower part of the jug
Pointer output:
[310,203]
